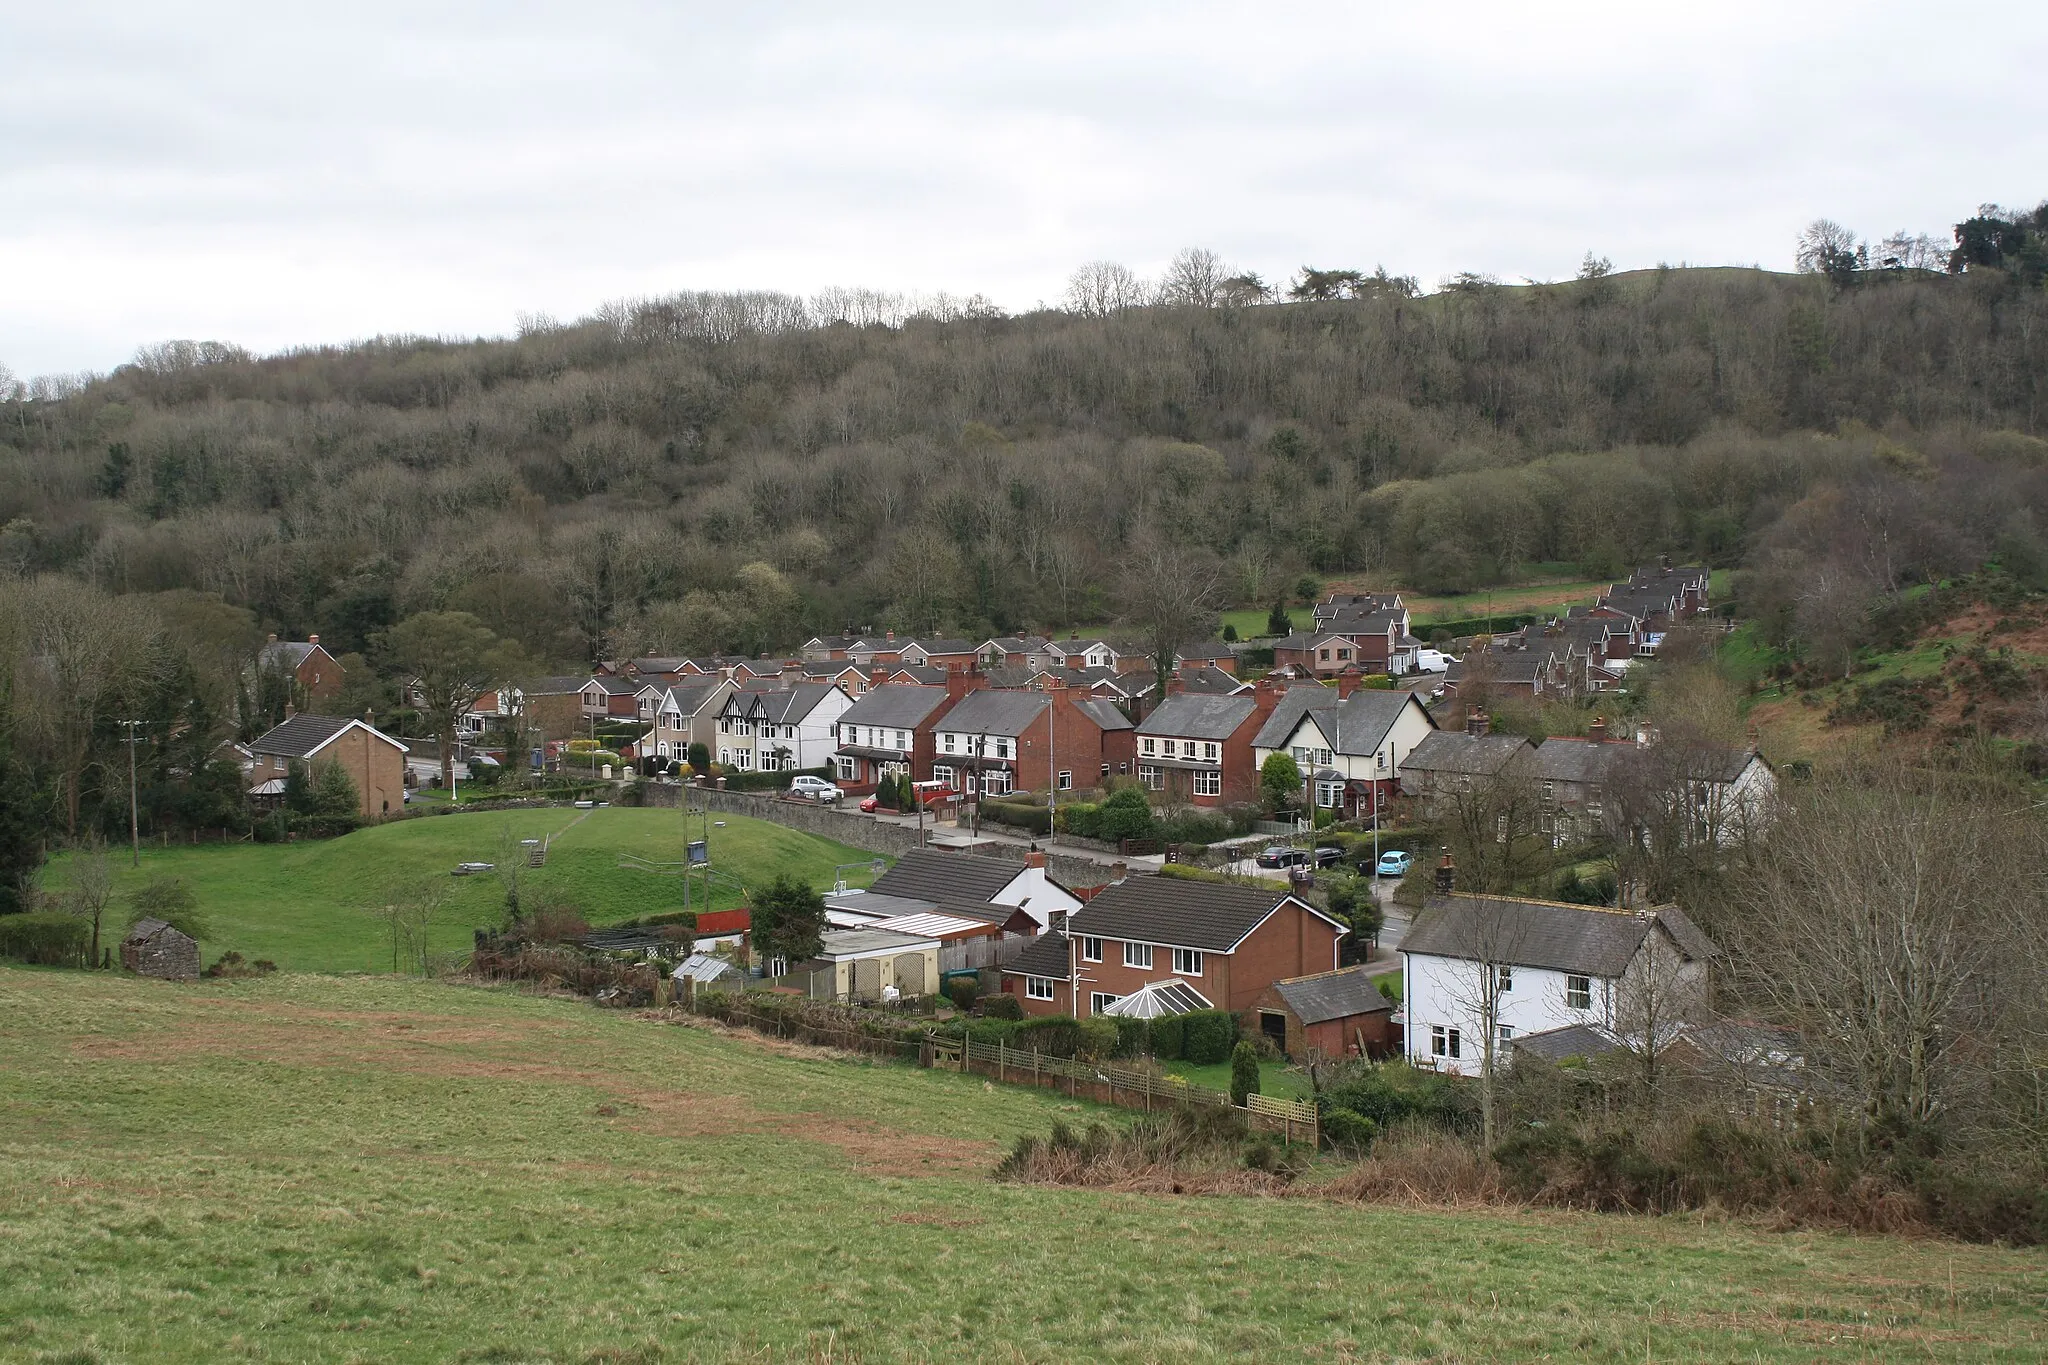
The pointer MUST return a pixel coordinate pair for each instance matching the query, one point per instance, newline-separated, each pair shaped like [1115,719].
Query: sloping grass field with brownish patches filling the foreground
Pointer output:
[357,1170]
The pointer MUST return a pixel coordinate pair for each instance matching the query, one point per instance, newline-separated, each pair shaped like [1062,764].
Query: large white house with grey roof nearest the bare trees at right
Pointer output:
[1555,967]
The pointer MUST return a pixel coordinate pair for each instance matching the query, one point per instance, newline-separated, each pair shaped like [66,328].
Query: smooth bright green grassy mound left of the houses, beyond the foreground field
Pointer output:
[304,906]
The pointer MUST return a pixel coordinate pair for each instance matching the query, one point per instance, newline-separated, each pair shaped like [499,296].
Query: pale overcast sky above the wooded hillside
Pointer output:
[253,175]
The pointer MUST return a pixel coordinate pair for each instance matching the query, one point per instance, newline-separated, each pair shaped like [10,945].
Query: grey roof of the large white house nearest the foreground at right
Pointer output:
[1545,934]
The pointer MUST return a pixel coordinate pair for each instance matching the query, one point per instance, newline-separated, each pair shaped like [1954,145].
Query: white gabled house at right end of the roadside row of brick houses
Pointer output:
[1351,744]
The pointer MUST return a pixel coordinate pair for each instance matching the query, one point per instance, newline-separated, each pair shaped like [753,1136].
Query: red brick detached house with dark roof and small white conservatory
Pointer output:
[1226,942]
